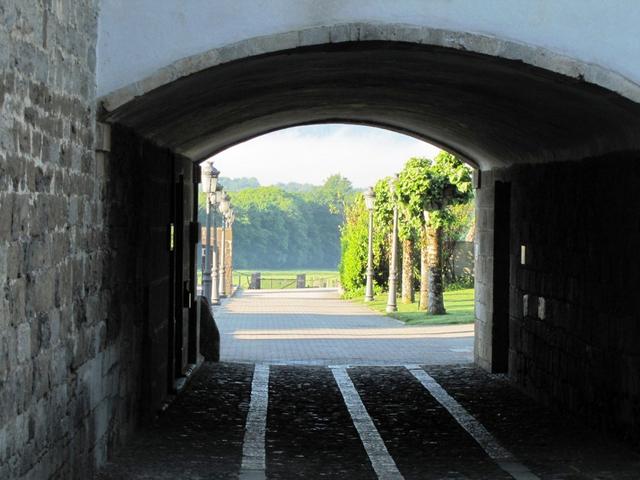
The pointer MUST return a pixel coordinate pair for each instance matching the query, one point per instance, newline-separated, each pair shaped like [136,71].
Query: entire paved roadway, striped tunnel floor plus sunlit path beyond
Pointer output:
[375,403]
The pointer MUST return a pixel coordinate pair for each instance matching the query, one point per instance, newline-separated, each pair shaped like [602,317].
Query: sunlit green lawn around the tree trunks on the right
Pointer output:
[458,303]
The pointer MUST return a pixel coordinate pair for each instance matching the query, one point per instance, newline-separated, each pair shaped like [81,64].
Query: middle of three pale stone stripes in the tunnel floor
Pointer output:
[382,463]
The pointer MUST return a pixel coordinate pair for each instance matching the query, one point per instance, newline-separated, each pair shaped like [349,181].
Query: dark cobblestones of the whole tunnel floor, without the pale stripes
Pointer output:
[310,432]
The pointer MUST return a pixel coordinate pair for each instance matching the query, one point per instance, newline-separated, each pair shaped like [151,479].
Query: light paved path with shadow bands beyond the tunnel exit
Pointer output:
[316,327]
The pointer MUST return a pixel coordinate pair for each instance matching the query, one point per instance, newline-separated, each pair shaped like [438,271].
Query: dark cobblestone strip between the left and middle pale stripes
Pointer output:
[309,430]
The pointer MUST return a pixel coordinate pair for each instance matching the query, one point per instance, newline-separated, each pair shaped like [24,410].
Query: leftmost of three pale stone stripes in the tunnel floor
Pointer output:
[253,452]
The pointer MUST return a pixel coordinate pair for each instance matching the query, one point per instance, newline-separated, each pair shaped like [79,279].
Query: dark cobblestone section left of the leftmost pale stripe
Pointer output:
[198,437]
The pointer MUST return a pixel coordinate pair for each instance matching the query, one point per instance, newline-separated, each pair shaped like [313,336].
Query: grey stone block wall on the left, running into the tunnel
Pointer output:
[68,315]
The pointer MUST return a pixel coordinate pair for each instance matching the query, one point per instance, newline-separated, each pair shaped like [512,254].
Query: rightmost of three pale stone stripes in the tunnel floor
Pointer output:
[503,457]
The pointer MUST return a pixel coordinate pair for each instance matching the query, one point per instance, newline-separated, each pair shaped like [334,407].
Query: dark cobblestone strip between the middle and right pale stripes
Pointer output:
[423,439]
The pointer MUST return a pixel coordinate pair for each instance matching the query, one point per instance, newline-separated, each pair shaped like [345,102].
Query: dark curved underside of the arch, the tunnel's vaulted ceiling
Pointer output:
[493,111]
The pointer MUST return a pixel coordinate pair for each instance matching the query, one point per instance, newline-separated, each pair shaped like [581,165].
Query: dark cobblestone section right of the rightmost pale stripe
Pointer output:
[554,446]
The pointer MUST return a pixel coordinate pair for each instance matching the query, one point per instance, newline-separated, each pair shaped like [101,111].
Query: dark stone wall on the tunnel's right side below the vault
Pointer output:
[574,331]
